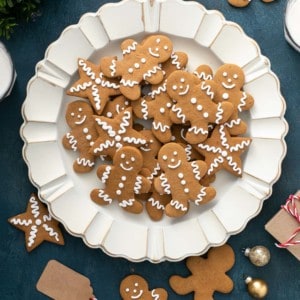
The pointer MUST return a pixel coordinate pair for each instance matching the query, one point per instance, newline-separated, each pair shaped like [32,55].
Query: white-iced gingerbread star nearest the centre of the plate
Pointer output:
[115,133]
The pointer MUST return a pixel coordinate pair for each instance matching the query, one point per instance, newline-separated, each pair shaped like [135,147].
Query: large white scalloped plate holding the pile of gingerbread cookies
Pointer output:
[207,38]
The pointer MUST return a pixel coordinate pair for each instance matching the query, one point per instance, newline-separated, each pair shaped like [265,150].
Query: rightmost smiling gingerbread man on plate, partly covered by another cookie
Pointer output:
[230,79]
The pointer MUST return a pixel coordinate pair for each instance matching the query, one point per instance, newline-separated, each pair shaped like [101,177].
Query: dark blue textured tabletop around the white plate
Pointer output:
[19,270]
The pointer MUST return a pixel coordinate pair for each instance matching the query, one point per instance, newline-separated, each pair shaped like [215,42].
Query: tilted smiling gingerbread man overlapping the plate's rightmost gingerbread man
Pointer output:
[194,104]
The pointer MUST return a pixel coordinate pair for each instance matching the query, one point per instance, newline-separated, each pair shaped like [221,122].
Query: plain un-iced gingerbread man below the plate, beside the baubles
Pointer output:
[208,274]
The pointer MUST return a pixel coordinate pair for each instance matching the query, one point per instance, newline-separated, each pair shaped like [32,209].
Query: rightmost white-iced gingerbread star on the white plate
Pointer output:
[223,151]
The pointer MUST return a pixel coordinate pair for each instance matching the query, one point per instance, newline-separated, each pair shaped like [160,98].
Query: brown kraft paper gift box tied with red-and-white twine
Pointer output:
[283,225]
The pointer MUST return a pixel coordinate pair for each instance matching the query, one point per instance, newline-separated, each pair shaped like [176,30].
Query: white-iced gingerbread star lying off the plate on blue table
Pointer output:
[37,225]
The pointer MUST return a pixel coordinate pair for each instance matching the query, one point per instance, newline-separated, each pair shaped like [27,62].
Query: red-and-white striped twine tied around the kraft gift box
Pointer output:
[291,208]
